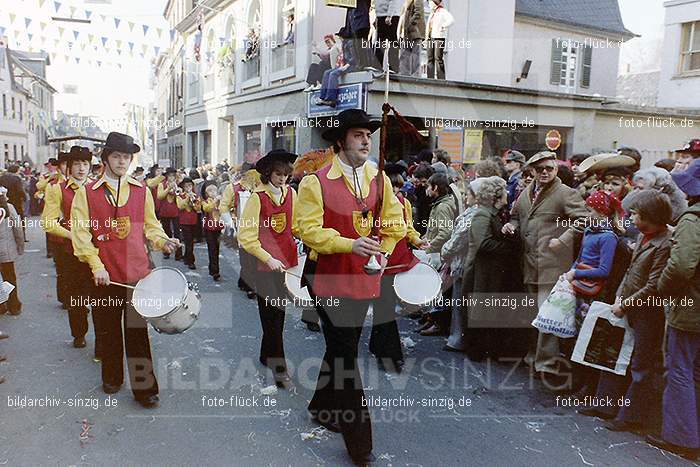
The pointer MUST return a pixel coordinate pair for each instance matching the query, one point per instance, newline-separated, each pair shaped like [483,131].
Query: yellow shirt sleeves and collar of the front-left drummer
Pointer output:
[83,248]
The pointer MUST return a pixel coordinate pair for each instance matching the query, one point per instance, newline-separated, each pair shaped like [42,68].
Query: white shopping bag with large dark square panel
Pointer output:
[605,341]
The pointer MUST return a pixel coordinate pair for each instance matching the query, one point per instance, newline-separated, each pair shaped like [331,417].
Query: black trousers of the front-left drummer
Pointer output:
[113,307]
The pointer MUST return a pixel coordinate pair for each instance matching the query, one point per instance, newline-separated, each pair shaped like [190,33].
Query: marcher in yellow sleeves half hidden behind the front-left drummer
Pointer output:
[56,222]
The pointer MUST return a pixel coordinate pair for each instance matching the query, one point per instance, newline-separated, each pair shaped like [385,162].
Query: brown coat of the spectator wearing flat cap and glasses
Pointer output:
[559,212]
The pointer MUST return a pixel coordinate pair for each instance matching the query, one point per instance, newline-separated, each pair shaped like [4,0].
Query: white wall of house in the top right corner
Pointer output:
[676,90]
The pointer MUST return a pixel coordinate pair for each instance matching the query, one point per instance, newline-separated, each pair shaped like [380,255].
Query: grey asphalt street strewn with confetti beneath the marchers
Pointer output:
[451,412]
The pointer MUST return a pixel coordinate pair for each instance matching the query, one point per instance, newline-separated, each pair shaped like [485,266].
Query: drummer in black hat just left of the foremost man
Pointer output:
[267,230]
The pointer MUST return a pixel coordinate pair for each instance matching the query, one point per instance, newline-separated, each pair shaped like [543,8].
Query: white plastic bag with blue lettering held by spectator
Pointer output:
[557,315]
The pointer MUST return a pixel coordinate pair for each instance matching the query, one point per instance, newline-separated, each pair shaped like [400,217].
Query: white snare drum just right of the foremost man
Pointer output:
[419,286]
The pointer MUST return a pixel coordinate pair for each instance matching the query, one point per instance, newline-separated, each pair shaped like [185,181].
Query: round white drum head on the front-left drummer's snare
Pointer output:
[160,292]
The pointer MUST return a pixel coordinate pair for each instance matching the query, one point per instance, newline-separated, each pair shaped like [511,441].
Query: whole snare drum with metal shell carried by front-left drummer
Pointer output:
[167,300]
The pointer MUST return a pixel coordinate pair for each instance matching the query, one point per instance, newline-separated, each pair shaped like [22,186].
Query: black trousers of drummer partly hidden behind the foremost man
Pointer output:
[384,341]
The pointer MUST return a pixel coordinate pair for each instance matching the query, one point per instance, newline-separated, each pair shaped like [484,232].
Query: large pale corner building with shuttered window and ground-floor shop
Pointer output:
[545,77]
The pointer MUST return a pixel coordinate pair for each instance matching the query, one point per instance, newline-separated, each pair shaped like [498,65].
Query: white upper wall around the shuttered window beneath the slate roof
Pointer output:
[534,42]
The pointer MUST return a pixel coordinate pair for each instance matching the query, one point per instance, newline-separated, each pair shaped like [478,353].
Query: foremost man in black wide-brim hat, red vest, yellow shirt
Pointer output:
[340,205]
